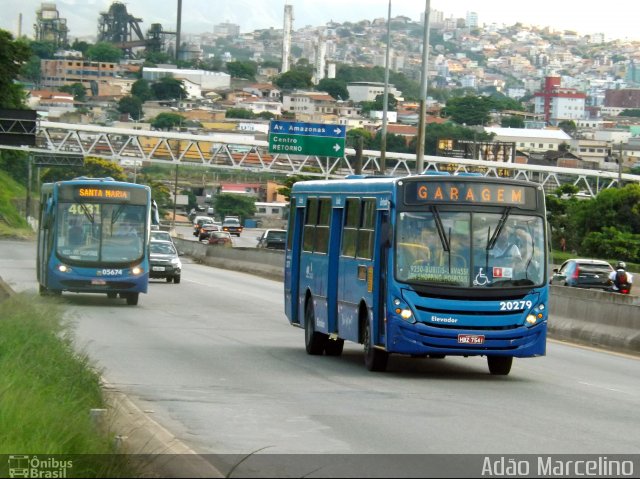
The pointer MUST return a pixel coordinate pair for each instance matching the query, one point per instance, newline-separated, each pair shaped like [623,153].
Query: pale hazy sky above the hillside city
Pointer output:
[617,19]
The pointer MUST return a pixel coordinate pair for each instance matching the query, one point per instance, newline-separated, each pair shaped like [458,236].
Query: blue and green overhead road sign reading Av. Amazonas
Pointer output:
[297,138]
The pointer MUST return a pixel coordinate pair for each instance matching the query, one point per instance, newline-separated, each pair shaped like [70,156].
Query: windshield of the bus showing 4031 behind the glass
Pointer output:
[100,232]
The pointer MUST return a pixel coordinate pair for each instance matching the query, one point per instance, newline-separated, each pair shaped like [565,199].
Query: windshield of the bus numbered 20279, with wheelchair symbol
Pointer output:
[470,249]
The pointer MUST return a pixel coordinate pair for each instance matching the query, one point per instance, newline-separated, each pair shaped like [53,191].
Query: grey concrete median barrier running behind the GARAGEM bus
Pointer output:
[590,317]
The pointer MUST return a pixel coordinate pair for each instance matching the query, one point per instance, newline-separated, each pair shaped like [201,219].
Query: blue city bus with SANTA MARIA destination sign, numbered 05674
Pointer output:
[93,237]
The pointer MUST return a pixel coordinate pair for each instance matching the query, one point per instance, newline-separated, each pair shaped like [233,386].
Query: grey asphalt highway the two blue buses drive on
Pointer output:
[216,361]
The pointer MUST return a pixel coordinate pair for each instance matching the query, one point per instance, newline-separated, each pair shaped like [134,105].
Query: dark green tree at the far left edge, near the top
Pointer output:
[13,54]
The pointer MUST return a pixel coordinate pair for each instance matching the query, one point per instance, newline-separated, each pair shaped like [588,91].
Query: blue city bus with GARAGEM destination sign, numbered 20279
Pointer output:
[425,266]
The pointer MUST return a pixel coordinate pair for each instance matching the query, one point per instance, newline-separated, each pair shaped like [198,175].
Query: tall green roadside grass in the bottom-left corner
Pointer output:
[47,391]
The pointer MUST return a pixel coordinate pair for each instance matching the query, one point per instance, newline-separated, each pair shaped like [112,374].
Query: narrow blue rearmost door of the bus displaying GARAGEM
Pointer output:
[292,260]
